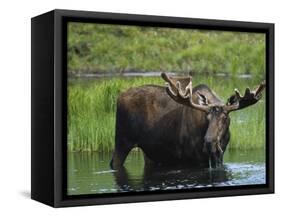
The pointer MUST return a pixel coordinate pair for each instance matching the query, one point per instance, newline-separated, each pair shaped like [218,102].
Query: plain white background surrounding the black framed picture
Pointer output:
[15,106]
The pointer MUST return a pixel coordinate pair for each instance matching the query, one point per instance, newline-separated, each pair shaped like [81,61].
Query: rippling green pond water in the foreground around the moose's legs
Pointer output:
[89,173]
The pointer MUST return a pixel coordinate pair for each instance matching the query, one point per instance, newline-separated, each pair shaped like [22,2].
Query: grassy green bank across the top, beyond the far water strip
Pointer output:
[117,49]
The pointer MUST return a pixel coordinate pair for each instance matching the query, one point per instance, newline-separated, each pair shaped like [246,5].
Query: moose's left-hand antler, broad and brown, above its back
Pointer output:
[180,94]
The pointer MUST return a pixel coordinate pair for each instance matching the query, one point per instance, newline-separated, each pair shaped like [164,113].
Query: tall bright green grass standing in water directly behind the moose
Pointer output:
[92,108]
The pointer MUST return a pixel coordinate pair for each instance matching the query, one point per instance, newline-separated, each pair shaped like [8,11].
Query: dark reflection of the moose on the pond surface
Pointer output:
[162,178]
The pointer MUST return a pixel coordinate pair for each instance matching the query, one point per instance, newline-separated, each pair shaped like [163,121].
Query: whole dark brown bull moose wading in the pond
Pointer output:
[177,124]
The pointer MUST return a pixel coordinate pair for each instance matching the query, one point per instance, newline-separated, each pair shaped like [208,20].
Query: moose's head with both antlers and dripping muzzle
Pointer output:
[217,114]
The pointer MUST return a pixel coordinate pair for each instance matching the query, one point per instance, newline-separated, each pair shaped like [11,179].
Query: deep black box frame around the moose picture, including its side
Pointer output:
[49,83]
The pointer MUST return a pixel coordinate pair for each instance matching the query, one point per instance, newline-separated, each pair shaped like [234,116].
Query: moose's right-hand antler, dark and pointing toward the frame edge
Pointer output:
[236,101]
